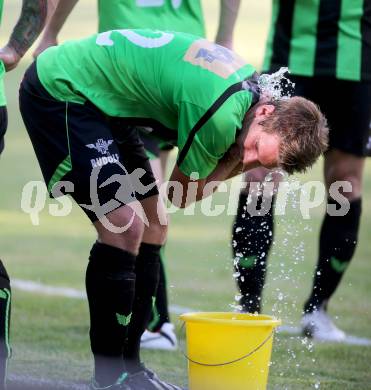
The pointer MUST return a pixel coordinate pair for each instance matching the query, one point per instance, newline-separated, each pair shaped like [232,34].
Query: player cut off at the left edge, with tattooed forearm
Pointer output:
[26,30]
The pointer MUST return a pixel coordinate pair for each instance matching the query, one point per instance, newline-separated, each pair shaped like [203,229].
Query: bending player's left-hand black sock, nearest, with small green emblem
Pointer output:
[110,286]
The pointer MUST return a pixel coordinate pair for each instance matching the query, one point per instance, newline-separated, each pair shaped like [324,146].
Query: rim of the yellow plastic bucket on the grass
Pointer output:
[203,317]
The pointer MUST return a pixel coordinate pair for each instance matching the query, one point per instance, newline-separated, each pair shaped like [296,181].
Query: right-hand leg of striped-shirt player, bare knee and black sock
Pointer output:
[339,235]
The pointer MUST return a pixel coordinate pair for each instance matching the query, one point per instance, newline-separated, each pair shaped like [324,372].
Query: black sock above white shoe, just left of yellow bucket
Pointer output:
[160,311]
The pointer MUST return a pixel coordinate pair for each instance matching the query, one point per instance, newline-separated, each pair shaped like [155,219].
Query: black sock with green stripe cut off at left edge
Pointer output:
[5,298]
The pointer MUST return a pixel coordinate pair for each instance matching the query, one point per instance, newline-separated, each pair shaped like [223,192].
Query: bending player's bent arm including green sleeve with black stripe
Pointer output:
[213,155]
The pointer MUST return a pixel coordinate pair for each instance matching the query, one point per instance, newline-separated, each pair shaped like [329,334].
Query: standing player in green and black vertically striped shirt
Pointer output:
[337,63]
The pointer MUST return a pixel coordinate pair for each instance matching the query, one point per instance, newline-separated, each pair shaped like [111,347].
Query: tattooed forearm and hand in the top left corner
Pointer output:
[25,32]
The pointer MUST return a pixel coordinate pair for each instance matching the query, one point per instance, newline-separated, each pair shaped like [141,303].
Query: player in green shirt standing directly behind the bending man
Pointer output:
[184,16]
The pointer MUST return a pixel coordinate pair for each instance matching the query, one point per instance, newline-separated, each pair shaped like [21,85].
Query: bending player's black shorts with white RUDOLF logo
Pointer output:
[76,143]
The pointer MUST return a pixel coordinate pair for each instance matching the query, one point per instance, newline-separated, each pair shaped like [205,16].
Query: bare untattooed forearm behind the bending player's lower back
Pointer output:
[54,25]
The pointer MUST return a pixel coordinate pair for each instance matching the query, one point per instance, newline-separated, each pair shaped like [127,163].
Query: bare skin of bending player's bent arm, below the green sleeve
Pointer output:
[229,166]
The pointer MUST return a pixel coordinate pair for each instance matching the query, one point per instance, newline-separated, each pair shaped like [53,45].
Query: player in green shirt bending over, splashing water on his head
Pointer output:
[82,102]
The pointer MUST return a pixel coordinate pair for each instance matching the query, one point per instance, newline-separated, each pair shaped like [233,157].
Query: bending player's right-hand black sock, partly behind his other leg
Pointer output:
[147,274]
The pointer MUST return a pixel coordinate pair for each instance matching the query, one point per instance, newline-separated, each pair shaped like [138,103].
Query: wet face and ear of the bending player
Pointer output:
[261,148]
